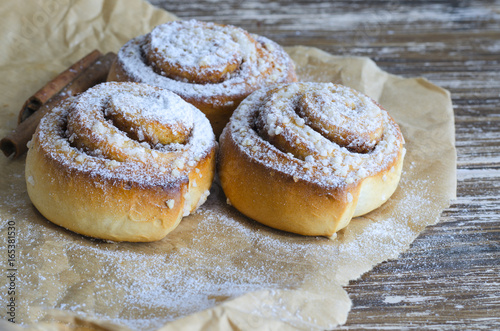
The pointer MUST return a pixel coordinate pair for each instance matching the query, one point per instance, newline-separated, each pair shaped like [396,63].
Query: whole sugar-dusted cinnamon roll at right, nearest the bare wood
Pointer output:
[308,157]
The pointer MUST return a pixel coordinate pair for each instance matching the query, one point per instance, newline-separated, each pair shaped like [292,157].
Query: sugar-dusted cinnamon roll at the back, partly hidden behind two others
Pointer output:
[212,66]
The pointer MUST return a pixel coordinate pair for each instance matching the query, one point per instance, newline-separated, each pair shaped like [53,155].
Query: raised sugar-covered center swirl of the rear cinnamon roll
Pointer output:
[200,53]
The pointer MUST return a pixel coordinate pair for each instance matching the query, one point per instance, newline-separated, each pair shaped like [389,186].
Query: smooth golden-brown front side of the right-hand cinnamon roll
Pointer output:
[277,199]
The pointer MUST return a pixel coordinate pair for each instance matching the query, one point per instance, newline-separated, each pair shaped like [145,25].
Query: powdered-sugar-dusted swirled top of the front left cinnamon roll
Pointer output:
[79,137]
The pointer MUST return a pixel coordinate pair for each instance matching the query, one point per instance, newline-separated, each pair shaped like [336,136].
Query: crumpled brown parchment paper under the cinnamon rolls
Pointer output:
[218,270]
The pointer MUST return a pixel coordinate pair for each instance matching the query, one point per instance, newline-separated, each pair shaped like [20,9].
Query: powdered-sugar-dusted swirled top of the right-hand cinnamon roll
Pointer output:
[305,152]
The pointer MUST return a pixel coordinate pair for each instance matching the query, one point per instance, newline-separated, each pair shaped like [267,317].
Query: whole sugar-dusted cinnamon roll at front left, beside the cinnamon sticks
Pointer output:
[122,162]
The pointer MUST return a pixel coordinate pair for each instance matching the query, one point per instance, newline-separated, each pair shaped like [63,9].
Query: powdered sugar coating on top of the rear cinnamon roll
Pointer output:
[260,61]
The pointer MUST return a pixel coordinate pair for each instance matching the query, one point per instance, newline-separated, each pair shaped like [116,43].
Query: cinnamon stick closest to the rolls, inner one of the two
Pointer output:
[14,144]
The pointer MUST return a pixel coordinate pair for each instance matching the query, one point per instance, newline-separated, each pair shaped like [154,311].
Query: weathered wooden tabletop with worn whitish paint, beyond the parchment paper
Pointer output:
[450,277]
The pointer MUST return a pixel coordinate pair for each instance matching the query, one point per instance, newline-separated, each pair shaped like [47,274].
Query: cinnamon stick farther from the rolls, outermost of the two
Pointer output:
[56,85]
